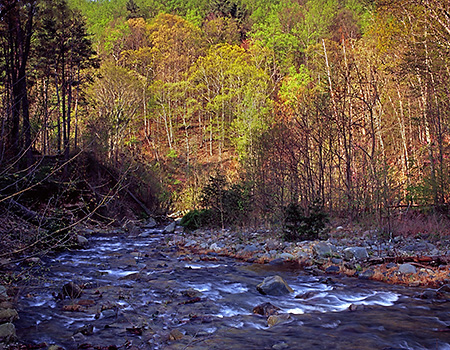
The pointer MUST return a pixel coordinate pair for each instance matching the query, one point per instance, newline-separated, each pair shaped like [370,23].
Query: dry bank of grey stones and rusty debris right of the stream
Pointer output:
[398,260]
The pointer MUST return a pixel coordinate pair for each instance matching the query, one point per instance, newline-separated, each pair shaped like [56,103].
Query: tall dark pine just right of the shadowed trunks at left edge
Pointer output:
[66,50]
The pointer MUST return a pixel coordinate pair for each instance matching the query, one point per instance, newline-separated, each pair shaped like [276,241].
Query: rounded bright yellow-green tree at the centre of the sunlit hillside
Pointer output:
[233,93]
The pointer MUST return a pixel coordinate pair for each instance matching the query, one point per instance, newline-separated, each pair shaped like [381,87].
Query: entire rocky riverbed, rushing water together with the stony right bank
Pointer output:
[152,288]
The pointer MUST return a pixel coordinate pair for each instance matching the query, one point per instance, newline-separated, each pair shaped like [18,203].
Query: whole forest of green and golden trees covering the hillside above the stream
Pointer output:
[233,109]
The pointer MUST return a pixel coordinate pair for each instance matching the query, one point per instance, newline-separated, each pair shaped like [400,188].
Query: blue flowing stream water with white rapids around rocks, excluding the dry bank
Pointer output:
[139,293]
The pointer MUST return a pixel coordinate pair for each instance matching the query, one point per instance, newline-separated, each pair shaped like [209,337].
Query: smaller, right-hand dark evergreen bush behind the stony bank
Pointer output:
[299,226]
